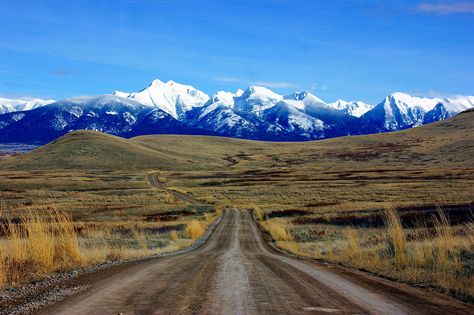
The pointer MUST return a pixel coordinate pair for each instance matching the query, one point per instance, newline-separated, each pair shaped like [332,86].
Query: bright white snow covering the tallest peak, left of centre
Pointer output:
[171,97]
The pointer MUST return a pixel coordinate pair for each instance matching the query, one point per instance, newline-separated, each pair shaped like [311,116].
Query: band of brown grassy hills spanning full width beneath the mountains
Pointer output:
[447,143]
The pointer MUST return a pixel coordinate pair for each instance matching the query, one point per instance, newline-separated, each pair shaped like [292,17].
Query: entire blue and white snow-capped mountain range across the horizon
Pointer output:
[254,113]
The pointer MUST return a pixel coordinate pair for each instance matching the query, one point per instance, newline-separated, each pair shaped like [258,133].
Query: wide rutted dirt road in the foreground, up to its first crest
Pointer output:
[236,272]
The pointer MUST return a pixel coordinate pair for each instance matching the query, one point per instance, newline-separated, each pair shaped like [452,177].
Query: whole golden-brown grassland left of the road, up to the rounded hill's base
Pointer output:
[98,216]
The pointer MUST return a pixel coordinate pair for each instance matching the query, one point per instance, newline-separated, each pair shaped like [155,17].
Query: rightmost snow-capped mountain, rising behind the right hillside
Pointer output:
[400,111]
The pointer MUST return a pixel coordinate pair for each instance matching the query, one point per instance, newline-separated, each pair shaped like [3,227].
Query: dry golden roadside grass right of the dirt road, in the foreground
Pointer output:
[436,255]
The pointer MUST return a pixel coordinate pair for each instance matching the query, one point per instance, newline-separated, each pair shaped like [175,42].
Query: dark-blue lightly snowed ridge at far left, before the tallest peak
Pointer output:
[106,113]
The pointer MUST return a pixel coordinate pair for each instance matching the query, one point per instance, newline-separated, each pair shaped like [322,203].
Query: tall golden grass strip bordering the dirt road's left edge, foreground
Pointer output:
[43,241]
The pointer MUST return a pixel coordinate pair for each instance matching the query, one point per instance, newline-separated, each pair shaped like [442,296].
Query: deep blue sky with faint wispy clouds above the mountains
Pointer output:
[335,49]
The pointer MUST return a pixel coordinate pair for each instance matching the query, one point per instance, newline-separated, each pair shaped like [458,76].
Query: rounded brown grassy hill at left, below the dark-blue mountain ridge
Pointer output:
[91,150]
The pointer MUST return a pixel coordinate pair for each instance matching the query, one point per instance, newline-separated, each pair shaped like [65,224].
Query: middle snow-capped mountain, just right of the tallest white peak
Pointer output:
[258,113]
